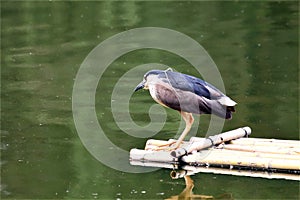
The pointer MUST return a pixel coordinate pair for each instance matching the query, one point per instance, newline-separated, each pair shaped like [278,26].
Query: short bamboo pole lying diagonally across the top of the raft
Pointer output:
[212,140]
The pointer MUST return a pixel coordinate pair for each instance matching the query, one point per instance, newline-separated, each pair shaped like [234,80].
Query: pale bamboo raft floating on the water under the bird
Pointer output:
[230,152]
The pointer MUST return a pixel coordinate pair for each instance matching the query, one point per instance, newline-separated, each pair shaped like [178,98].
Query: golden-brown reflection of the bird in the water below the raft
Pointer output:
[188,194]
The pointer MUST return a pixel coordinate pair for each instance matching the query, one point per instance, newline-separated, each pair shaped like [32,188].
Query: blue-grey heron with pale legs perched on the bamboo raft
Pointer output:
[187,94]
